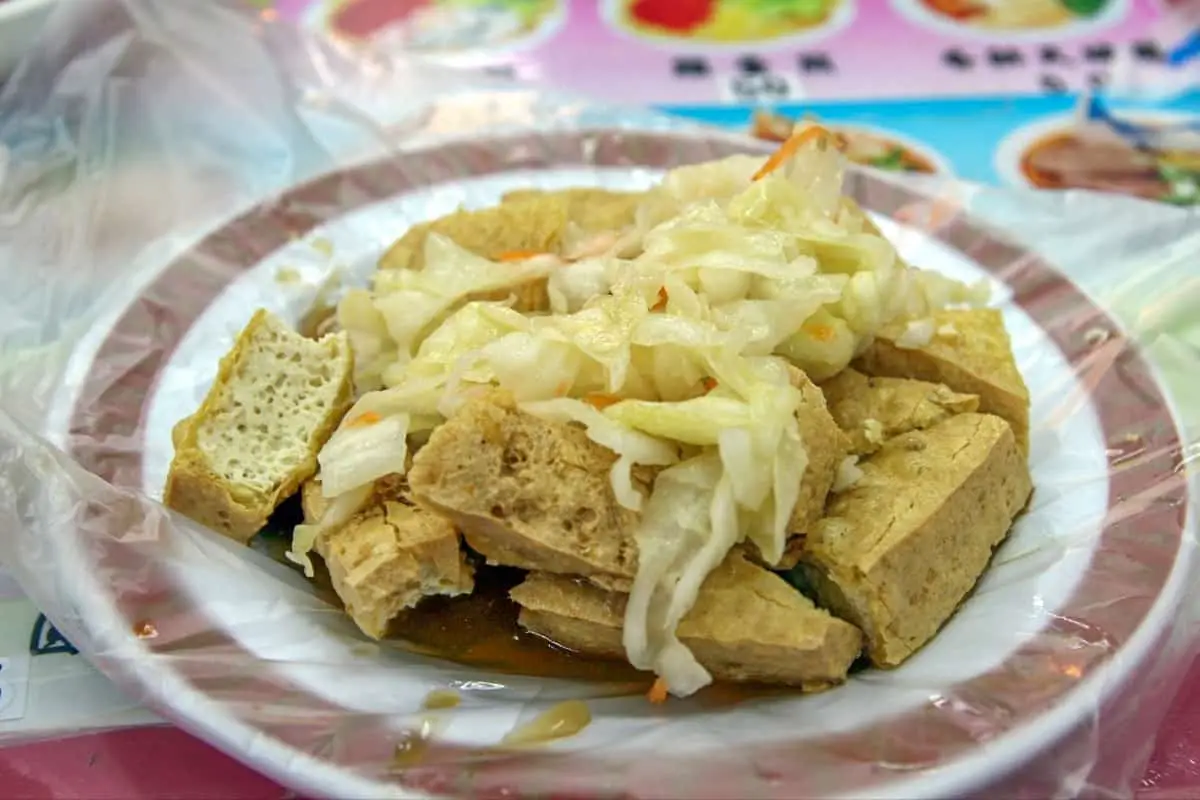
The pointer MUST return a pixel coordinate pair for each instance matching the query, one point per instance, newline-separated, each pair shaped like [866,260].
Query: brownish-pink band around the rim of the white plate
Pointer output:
[1138,546]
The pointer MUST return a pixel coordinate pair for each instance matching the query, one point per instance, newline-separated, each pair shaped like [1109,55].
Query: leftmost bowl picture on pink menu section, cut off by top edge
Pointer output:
[443,27]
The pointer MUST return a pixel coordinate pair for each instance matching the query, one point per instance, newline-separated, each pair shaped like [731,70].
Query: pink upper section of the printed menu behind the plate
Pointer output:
[717,52]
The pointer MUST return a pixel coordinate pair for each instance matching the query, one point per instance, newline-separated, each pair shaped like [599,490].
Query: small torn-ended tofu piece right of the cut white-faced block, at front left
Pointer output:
[391,558]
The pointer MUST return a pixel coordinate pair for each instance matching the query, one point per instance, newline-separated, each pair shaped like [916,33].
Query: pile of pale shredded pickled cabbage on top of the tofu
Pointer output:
[689,326]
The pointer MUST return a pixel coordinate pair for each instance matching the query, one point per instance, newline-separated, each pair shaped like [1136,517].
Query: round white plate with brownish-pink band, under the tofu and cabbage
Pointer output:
[244,654]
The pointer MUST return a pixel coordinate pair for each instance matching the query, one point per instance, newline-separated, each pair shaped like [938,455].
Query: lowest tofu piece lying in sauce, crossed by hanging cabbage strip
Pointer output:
[748,625]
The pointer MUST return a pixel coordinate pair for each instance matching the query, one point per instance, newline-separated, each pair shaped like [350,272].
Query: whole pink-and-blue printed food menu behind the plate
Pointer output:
[985,89]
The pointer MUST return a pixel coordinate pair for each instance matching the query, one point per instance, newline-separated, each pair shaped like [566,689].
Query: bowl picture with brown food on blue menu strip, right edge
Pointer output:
[1065,153]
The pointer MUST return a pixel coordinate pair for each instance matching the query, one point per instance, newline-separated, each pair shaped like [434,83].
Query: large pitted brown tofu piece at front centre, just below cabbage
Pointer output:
[526,492]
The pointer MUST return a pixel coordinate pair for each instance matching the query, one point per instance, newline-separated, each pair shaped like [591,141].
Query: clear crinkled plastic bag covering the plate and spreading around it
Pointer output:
[170,167]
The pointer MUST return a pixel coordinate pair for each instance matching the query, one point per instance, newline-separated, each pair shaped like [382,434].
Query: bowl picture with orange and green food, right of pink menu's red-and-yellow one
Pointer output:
[1015,19]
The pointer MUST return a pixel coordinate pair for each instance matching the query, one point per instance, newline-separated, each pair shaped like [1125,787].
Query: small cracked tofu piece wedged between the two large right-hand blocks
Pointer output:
[872,411]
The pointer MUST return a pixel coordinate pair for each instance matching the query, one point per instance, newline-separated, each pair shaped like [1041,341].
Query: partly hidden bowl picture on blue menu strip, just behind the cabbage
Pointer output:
[867,146]
